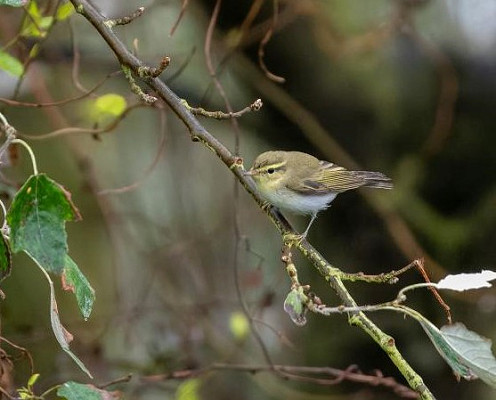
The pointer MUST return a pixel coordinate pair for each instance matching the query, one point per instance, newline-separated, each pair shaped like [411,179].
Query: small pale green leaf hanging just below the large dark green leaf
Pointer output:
[73,280]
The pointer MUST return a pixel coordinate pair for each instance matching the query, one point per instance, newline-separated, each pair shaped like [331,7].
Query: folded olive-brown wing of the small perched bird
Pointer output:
[331,178]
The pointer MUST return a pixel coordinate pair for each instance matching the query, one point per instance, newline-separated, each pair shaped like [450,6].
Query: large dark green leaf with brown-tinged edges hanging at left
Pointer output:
[37,218]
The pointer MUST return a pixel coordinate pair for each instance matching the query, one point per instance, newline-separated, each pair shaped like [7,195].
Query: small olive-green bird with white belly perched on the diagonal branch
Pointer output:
[302,184]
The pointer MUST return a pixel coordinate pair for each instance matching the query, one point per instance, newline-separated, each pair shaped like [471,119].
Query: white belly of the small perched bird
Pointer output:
[297,203]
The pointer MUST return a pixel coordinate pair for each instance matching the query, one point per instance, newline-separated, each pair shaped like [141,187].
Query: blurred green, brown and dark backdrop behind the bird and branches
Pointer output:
[400,86]
